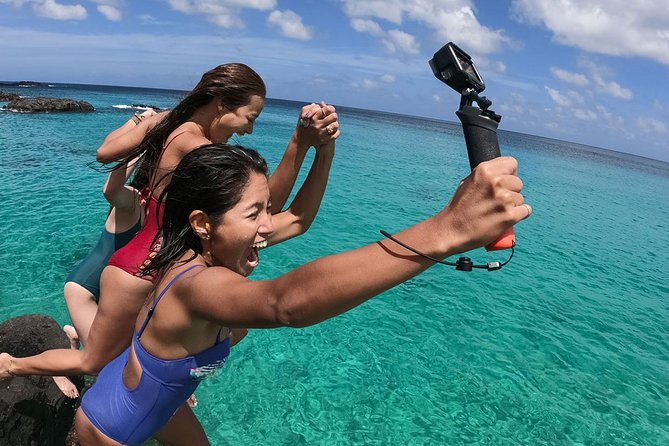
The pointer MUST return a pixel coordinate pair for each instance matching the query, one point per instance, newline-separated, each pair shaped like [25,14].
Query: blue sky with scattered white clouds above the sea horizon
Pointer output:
[592,71]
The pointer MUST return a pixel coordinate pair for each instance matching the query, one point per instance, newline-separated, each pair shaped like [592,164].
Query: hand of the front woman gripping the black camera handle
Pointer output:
[485,204]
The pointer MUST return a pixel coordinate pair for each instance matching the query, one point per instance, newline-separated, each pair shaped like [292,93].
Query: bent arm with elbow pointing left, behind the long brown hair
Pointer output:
[122,140]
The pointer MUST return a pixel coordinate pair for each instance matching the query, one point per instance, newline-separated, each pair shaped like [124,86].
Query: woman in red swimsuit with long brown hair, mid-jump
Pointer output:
[227,101]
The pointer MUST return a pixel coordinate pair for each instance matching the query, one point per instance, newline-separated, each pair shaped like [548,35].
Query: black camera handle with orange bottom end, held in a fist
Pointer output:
[480,128]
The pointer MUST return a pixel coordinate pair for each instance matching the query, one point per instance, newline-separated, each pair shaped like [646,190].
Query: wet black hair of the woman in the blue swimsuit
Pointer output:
[210,178]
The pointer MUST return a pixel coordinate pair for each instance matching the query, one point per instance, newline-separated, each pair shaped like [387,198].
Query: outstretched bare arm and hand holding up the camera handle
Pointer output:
[484,205]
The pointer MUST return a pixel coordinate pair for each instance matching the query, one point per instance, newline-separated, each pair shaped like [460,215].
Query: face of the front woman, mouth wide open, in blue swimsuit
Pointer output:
[241,231]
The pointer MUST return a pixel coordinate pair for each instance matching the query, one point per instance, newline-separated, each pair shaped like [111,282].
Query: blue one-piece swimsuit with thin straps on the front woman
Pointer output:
[132,416]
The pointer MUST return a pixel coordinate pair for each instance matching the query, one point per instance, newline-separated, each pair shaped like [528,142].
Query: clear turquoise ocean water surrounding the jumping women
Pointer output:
[569,344]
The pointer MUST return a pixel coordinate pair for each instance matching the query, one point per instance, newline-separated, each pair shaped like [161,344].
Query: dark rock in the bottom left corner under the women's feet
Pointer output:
[33,411]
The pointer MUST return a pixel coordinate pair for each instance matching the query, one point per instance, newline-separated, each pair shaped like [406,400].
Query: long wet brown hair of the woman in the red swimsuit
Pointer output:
[233,84]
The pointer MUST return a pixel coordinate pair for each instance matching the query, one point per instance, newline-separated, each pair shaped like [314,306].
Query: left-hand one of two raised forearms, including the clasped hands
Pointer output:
[283,179]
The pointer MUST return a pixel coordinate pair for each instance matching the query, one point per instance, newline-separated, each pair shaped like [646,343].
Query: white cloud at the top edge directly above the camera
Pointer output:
[445,19]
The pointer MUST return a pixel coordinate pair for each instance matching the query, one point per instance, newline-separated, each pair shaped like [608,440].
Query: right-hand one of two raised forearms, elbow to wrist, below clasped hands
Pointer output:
[302,211]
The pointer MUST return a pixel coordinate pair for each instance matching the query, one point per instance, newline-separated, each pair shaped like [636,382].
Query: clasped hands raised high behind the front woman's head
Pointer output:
[318,124]
